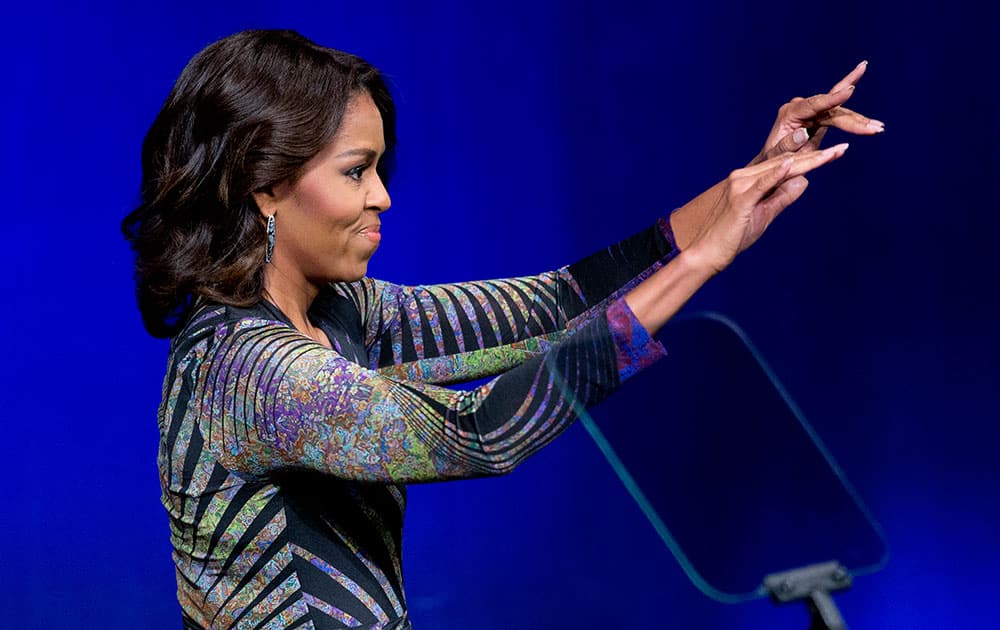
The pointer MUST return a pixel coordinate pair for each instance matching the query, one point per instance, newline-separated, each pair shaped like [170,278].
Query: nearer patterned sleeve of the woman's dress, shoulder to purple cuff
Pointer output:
[268,398]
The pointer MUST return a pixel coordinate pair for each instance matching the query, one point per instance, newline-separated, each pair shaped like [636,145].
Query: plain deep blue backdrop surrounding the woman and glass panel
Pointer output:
[531,135]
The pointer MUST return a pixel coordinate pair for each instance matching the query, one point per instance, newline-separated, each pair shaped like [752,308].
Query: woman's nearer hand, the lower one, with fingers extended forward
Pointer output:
[749,200]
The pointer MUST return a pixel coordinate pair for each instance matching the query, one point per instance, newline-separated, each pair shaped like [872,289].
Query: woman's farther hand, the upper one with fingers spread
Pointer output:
[802,122]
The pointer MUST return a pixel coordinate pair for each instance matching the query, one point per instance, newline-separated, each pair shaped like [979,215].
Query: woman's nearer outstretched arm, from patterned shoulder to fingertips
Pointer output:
[267,398]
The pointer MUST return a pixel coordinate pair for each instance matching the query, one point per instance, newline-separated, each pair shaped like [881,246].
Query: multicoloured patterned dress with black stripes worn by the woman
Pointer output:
[283,464]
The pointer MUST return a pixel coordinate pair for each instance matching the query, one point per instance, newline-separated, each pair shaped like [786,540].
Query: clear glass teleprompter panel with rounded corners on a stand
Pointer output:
[727,470]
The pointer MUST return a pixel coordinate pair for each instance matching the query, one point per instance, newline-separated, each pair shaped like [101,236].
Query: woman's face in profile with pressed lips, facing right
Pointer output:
[327,222]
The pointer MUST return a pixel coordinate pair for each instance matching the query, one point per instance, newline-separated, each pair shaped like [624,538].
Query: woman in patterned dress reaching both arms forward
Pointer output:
[301,396]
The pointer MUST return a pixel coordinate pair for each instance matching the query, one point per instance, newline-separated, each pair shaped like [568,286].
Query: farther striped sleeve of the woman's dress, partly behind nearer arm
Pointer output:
[453,332]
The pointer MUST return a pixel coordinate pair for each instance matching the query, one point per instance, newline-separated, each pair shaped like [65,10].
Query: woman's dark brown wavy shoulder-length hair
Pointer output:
[246,113]
